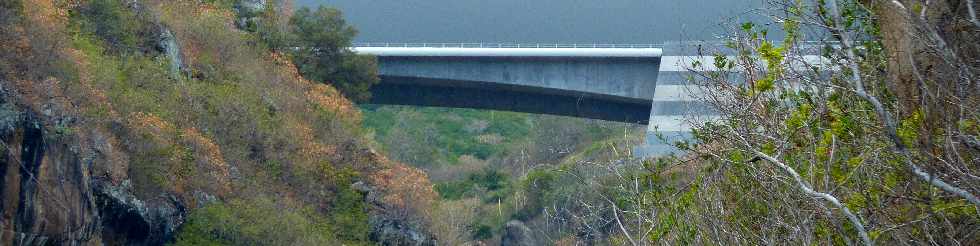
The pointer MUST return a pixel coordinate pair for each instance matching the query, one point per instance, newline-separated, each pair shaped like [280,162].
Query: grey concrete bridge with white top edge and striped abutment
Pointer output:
[626,83]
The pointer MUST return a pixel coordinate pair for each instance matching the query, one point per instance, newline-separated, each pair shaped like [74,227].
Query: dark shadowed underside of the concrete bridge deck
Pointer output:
[399,90]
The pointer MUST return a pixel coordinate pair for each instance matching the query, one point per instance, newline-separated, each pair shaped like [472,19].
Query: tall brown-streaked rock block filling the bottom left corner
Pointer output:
[46,195]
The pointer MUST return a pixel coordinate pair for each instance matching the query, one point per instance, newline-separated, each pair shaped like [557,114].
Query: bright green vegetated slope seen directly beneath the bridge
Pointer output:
[439,136]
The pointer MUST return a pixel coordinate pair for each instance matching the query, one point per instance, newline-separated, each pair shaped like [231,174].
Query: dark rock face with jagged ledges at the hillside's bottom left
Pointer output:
[49,196]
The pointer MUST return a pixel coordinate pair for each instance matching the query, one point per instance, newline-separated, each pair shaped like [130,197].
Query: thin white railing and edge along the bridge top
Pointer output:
[509,45]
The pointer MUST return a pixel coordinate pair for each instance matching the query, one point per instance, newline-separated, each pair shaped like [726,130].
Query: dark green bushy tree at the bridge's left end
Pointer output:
[321,41]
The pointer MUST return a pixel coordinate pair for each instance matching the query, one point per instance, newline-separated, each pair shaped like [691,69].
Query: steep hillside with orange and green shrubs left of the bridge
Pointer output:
[150,122]
